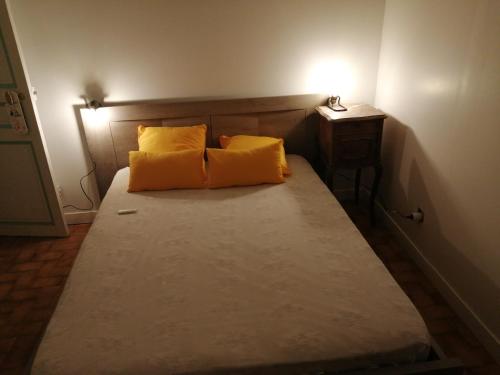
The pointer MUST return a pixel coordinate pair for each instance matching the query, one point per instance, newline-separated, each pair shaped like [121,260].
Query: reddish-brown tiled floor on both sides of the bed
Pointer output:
[33,272]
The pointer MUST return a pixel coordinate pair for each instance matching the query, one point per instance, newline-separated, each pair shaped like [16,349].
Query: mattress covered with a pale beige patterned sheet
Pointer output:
[200,281]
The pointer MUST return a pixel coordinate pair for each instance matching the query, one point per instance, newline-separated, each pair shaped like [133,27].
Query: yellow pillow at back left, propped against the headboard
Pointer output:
[164,139]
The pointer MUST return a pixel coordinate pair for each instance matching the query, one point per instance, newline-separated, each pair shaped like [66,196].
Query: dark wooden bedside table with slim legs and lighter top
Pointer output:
[352,140]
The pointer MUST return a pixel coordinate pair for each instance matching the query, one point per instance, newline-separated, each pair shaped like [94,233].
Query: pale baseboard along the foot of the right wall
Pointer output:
[490,341]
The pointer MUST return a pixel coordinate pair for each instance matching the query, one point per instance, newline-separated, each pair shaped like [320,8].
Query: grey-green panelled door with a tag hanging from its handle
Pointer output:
[29,204]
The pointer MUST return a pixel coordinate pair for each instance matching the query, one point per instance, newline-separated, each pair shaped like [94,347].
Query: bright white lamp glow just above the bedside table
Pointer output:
[331,77]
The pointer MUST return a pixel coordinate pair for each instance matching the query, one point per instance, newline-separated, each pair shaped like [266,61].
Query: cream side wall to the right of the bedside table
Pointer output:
[439,80]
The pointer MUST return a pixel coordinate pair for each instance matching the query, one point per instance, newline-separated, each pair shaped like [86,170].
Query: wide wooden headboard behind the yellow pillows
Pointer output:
[111,131]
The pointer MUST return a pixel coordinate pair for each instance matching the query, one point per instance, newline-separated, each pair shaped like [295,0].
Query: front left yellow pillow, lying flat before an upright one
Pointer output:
[167,170]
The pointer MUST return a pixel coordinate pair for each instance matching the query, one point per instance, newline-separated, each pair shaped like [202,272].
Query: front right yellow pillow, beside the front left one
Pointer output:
[244,167]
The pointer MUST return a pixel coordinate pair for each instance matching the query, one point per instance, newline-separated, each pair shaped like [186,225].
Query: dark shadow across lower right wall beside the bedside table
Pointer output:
[423,188]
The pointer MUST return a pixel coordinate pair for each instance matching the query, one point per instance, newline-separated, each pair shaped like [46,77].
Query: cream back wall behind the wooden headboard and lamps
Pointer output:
[135,50]
